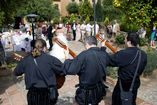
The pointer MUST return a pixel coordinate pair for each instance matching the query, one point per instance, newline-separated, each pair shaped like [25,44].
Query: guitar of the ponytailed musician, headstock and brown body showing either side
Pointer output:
[59,79]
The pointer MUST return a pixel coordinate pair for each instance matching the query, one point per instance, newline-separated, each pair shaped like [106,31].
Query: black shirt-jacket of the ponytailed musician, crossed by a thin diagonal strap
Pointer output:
[49,65]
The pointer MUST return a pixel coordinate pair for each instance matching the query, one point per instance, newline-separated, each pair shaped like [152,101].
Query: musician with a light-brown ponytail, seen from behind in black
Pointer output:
[48,66]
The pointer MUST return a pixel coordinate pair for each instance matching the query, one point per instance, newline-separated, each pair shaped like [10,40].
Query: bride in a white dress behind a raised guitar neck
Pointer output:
[58,51]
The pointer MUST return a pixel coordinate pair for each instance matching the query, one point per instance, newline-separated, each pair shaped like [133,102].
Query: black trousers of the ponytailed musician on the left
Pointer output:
[39,96]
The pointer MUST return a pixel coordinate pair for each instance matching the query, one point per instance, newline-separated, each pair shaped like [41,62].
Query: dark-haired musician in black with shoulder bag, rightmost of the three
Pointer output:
[127,63]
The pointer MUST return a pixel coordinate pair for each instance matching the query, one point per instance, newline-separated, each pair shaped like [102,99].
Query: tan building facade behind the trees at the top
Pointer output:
[63,3]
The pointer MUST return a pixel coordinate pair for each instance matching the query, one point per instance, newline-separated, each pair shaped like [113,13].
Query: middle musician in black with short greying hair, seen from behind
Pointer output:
[90,66]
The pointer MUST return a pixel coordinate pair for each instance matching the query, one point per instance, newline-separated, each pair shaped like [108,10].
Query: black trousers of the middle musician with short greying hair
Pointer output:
[90,94]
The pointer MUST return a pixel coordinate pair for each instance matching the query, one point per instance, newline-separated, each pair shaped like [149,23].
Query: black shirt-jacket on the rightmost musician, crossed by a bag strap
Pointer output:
[123,58]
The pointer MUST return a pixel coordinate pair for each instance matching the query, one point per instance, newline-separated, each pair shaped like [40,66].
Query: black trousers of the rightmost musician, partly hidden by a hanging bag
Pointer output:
[126,86]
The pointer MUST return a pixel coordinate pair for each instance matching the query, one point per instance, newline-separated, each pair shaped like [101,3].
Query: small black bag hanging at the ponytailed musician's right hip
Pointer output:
[53,94]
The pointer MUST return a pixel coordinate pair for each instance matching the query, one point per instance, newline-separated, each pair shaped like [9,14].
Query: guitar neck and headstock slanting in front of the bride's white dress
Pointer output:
[61,44]
